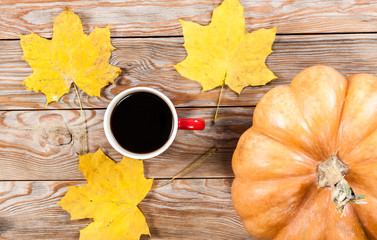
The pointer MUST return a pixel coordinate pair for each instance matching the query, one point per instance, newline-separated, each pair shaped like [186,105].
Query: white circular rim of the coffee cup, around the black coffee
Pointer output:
[110,137]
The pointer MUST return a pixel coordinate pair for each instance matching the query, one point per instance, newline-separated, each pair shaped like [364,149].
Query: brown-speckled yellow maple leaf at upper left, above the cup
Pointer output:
[71,56]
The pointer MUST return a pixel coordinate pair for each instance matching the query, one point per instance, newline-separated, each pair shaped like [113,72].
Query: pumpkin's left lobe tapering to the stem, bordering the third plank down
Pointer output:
[266,163]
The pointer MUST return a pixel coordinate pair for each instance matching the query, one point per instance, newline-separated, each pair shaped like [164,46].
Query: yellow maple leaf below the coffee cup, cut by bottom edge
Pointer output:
[110,198]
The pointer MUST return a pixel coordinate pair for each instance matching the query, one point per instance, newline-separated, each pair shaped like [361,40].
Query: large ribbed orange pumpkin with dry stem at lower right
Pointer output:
[302,170]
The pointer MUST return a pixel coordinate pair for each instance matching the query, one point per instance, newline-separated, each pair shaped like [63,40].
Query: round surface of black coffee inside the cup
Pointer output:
[141,122]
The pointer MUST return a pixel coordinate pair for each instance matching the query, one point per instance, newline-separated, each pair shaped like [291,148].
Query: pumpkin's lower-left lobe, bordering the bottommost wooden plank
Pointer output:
[298,190]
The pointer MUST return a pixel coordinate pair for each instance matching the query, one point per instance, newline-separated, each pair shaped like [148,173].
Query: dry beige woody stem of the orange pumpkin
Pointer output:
[331,174]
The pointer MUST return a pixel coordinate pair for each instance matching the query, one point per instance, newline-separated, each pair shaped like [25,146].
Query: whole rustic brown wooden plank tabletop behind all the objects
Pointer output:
[39,144]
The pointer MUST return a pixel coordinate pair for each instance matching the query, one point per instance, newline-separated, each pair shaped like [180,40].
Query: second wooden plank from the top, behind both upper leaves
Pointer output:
[149,62]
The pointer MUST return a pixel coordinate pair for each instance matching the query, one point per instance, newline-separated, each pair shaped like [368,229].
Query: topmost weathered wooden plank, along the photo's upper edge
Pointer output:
[160,18]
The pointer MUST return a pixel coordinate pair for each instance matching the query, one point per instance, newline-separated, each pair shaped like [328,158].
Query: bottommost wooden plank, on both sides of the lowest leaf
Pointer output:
[186,209]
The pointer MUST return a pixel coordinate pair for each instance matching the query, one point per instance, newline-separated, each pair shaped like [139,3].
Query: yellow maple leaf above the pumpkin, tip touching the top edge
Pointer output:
[224,53]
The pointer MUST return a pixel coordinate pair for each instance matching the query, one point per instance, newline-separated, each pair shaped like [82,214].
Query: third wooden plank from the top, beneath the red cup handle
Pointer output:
[43,145]
